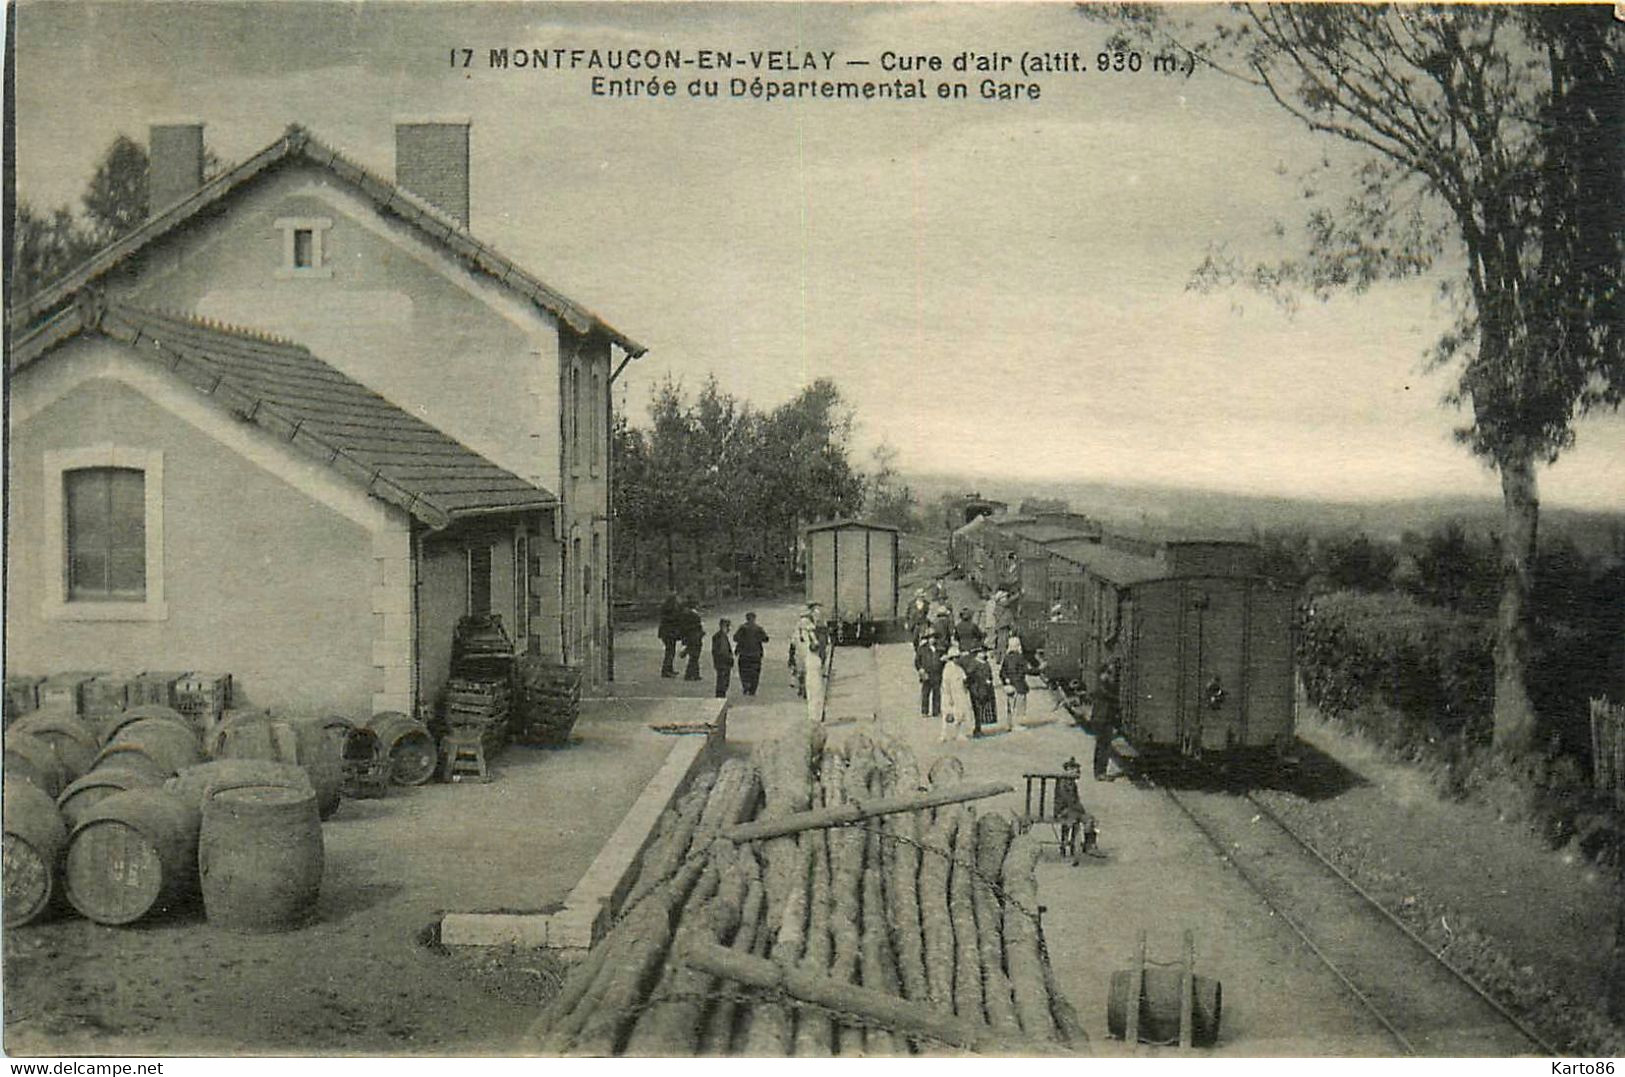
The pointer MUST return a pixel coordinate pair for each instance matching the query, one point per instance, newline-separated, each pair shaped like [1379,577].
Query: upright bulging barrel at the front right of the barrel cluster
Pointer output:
[261,857]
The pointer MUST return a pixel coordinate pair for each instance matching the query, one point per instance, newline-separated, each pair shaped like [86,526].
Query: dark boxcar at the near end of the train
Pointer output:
[1203,641]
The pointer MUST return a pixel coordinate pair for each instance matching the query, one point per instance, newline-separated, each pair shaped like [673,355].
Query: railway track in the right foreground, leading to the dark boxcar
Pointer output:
[1426,1005]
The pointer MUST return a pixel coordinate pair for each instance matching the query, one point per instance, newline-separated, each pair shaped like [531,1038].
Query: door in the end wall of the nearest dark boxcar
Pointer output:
[1213,665]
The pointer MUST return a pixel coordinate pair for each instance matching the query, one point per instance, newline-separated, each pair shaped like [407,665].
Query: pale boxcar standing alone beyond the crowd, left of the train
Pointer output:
[852,574]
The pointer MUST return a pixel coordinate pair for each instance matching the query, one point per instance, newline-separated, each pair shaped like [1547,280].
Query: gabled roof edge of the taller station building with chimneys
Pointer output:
[298,145]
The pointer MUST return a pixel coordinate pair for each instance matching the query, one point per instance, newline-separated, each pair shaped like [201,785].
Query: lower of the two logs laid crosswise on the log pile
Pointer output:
[867,1005]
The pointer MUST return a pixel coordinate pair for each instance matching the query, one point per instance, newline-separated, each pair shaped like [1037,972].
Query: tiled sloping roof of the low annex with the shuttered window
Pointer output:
[321,412]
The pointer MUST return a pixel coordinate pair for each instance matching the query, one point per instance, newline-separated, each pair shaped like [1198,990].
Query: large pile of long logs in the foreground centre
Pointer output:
[818,901]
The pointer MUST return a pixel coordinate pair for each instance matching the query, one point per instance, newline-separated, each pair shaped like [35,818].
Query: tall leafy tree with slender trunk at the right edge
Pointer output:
[1491,139]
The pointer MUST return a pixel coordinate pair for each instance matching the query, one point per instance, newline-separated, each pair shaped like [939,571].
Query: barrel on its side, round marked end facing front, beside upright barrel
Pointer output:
[132,855]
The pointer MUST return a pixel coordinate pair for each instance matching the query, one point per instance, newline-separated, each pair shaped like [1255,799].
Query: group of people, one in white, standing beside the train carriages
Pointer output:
[960,683]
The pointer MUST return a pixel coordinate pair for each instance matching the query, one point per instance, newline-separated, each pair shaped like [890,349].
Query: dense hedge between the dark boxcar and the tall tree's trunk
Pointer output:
[1431,668]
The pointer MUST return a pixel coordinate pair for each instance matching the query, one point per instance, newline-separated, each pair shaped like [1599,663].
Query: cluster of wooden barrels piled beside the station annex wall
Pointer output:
[129,823]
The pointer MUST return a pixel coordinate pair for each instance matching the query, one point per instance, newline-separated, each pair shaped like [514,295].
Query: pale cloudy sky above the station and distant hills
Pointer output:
[997,287]
